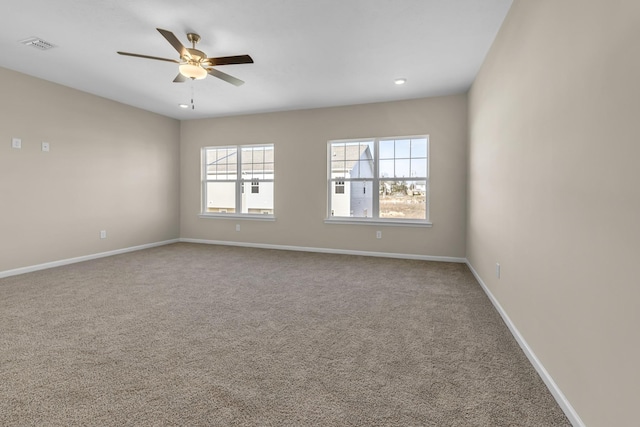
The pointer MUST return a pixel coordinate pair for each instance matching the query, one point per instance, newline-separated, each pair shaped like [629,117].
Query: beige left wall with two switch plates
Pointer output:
[111,167]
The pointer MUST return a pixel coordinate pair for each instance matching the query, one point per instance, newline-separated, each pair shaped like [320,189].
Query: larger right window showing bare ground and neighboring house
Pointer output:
[379,180]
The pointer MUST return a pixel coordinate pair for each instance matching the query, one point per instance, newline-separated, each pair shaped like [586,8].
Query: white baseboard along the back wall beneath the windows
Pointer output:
[326,250]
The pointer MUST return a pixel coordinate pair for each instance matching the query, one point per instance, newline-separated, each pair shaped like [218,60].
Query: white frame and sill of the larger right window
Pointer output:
[375,219]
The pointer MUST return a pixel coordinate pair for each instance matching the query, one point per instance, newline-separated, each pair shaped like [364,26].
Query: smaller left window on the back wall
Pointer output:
[224,173]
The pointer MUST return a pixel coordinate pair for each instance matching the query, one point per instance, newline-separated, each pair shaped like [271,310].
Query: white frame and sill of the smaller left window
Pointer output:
[241,185]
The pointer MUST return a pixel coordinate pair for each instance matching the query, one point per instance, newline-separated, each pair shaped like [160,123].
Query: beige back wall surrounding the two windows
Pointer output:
[300,139]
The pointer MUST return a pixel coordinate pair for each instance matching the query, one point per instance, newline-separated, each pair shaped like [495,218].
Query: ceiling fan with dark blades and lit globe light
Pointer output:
[193,63]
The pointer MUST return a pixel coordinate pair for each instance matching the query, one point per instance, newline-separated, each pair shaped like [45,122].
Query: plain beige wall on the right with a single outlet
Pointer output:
[554,194]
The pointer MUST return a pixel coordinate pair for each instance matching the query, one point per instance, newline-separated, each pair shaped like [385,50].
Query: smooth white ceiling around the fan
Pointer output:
[307,53]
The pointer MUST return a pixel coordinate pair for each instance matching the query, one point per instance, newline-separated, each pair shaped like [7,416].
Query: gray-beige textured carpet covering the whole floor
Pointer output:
[196,335]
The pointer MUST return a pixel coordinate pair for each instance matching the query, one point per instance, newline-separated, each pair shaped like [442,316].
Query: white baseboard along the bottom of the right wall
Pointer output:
[562,400]
